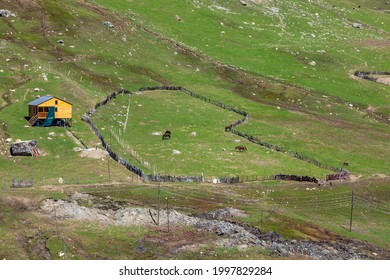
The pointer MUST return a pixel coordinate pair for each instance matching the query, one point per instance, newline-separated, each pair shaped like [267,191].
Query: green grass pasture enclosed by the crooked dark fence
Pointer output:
[198,134]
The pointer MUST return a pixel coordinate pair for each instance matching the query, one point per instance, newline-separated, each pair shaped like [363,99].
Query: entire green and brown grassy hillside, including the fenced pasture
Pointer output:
[288,64]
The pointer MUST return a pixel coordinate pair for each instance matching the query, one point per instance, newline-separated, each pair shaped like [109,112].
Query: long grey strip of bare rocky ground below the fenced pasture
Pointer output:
[221,222]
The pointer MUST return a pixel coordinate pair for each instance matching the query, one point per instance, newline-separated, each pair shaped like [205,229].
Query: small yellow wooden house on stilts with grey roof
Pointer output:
[49,110]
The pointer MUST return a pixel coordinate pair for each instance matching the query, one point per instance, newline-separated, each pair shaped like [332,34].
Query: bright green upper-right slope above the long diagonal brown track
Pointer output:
[279,39]
